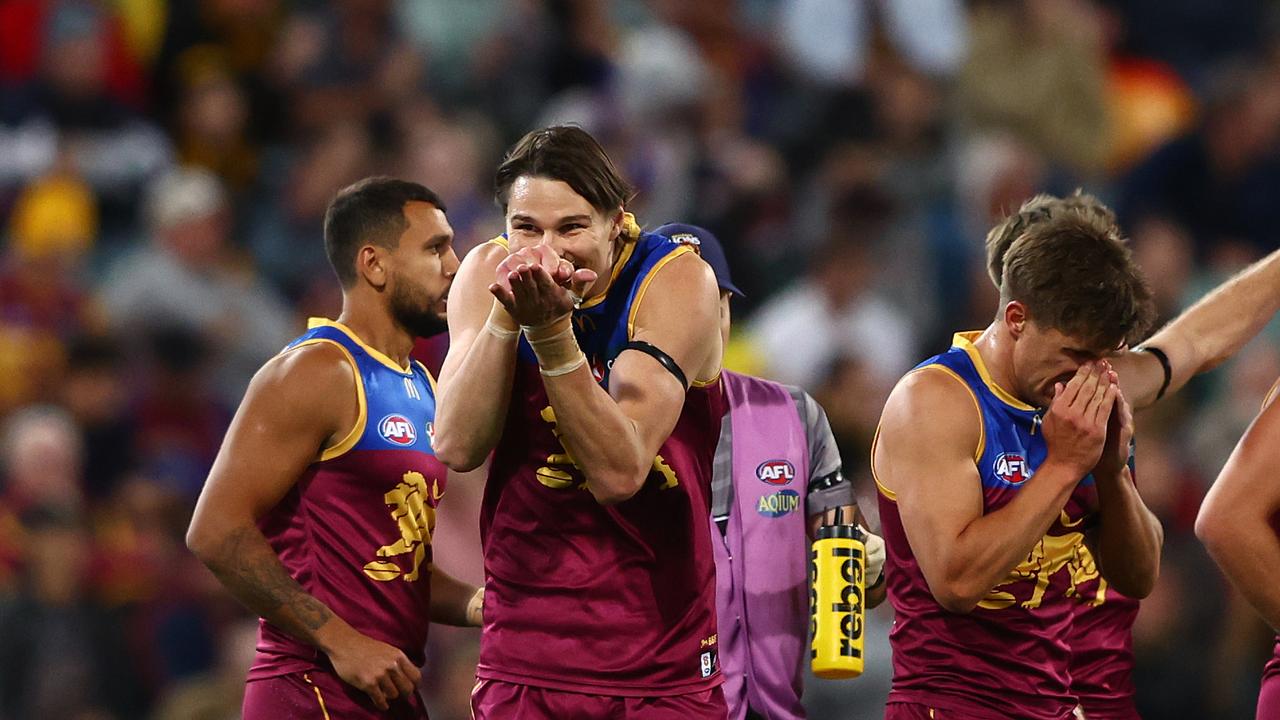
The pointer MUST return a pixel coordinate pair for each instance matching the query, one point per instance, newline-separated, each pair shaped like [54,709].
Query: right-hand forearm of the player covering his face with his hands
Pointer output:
[1130,537]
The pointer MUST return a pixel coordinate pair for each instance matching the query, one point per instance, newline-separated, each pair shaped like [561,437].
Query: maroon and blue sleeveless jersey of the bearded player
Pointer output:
[356,530]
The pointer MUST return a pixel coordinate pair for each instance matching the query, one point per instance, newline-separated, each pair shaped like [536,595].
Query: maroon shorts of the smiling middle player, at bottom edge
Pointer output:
[497,700]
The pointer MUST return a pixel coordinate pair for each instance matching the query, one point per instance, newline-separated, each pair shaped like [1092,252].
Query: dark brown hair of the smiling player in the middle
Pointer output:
[568,154]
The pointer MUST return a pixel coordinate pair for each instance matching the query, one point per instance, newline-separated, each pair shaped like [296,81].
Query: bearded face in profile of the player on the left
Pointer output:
[420,271]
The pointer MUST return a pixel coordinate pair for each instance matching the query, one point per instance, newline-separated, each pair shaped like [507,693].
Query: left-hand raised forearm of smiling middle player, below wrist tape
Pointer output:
[472,403]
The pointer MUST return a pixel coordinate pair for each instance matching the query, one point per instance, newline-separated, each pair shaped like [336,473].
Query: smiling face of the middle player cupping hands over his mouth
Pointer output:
[548,212]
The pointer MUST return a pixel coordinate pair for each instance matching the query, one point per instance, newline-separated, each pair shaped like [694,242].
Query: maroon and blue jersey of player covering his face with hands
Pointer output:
[1009,657]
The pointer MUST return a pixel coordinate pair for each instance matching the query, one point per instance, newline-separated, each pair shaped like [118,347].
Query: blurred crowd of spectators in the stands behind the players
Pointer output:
[164,168]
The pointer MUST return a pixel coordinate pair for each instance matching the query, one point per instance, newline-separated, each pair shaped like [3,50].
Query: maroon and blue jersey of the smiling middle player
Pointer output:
[604,600]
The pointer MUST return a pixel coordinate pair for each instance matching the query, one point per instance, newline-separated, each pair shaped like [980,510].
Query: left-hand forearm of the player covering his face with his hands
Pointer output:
[995,544]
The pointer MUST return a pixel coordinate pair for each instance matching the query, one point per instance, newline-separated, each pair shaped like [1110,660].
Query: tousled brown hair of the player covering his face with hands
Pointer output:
[1075,274]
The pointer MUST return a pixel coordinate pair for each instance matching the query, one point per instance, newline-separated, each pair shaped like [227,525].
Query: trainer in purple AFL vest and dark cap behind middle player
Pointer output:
[776,466]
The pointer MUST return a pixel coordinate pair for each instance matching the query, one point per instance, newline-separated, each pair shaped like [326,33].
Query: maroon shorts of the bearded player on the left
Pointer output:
[321,696]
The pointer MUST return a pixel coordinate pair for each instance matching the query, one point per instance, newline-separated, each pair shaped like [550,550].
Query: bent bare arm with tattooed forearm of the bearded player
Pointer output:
[299,404]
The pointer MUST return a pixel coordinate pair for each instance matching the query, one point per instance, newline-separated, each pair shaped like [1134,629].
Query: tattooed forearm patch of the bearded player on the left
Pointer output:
[252,571]
